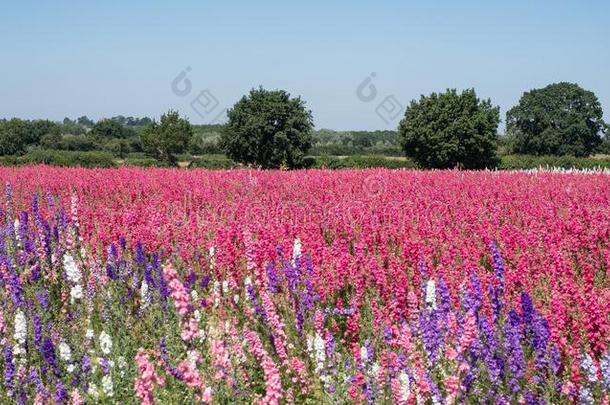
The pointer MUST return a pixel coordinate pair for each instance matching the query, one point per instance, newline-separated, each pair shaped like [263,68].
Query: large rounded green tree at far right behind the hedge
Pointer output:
[560,119]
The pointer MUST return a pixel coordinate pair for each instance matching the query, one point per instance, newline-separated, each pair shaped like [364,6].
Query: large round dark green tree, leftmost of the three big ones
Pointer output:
[268,129]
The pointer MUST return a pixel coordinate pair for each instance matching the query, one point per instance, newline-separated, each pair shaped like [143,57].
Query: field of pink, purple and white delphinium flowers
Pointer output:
[357,286]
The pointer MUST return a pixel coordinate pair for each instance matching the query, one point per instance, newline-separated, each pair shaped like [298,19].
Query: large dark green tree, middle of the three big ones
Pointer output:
[447,130]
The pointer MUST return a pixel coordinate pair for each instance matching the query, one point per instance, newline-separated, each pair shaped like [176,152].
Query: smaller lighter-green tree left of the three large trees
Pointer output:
[167,138]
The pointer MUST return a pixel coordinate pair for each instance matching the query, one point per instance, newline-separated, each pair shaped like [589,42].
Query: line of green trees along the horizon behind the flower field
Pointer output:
[272,129]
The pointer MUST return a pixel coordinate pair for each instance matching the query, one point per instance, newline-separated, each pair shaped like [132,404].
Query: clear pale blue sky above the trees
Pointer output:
[72,58]
